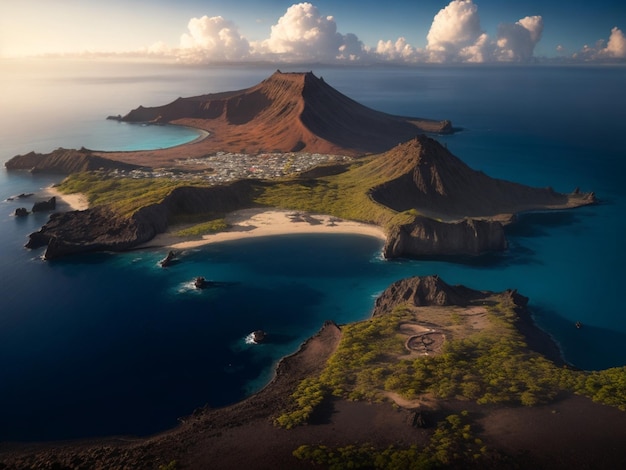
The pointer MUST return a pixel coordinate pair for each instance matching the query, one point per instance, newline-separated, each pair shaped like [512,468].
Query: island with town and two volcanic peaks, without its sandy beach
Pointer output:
[427,201]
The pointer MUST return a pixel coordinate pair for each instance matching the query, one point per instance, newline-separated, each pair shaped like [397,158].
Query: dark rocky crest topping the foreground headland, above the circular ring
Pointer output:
[424,291]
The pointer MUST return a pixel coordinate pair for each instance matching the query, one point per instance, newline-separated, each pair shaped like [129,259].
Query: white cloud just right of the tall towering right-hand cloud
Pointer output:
[516,42]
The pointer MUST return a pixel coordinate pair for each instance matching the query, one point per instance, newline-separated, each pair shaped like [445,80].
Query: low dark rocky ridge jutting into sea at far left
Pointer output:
[64,161]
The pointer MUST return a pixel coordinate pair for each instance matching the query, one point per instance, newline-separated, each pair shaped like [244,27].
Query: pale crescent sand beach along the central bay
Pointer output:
[248,223]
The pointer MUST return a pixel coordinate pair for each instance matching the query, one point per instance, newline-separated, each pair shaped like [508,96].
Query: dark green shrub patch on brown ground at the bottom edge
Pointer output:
[453,442]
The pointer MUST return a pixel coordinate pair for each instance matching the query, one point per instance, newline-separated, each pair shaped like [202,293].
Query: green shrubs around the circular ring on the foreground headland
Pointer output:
[488,365]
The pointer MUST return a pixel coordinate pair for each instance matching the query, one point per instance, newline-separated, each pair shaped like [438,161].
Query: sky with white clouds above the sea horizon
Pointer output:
[328,31]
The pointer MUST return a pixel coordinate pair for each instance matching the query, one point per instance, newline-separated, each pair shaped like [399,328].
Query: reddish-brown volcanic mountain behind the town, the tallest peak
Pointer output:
[285,112]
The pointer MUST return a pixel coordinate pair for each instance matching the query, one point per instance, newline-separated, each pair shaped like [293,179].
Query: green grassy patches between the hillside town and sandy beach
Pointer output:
[344,195]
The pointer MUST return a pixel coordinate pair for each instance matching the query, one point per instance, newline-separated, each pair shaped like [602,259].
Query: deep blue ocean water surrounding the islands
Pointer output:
[113,344]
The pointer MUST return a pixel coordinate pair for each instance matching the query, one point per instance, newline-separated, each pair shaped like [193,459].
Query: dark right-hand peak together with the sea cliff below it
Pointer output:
[461,211]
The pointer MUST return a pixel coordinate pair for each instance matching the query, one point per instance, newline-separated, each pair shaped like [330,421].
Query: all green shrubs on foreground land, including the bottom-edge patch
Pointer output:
[491,364]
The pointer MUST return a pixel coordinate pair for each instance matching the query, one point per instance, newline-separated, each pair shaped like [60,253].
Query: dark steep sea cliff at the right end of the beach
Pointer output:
[425,237]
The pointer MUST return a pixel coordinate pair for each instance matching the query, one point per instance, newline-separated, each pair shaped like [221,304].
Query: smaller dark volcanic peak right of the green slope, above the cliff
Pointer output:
[423,174]
